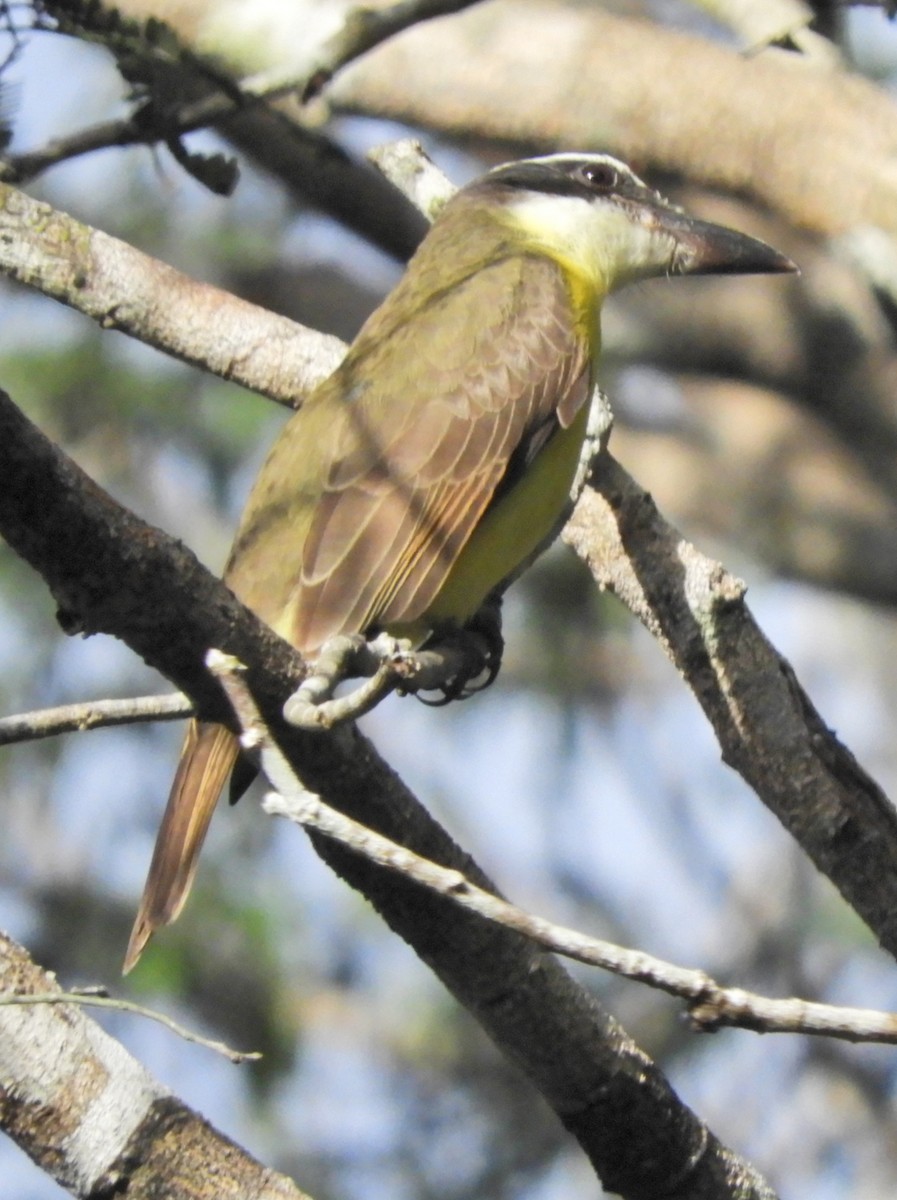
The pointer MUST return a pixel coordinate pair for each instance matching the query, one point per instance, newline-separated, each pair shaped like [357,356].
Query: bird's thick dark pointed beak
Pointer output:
[706,249]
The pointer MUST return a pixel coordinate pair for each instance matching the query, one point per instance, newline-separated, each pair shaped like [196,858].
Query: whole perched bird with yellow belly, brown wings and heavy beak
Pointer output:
[438,458]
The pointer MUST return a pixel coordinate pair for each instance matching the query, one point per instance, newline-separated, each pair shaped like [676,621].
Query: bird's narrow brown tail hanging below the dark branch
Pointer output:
[208,755]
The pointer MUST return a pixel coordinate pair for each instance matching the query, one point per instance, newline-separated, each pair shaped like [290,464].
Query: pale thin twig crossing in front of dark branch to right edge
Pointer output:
[711,1005]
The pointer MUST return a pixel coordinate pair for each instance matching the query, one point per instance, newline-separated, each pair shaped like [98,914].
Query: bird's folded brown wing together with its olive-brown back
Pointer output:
[406,470]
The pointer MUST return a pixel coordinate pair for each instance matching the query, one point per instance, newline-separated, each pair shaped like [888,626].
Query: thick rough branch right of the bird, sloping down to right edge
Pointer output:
[767,727]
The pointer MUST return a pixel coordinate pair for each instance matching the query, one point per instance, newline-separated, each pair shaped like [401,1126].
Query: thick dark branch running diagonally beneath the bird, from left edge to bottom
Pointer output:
[149,591]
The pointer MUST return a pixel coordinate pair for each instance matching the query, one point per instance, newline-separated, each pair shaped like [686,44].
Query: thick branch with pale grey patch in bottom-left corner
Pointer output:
[95,1120]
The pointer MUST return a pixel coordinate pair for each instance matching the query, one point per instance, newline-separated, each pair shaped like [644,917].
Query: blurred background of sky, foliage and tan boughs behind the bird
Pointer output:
[762,415]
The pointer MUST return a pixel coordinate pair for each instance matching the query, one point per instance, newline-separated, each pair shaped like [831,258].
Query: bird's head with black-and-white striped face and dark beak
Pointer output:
[594,214]
